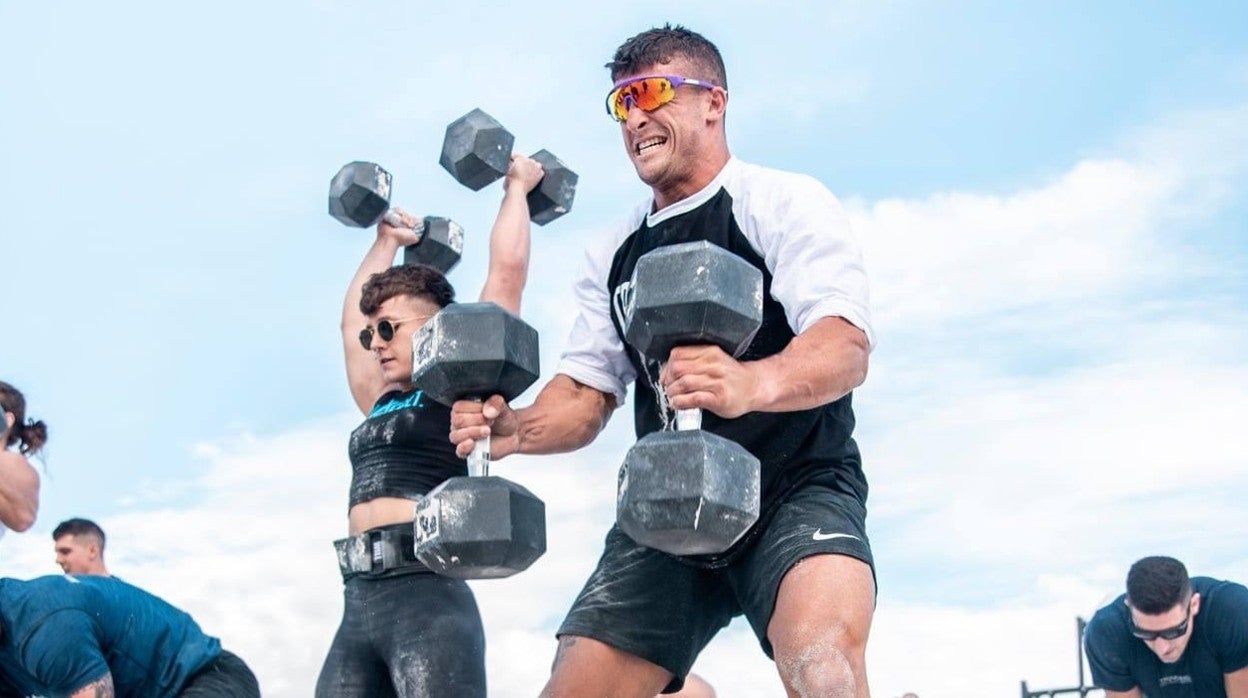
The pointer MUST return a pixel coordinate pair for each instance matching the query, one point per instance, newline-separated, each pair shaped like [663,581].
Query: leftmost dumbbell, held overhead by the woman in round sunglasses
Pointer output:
[360,197]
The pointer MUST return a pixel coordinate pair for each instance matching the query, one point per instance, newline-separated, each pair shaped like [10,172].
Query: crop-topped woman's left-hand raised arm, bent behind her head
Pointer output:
[364,374]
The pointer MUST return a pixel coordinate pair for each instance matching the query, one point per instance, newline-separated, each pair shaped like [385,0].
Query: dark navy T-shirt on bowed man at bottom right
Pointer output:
[1219,646]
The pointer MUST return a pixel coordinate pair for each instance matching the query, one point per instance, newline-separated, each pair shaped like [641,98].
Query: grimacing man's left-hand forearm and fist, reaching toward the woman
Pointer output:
[566,416]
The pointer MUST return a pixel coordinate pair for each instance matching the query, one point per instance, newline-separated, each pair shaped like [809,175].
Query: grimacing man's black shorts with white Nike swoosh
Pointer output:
[665,611]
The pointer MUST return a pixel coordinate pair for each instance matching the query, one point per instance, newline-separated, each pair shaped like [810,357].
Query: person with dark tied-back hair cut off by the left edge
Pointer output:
[19,481]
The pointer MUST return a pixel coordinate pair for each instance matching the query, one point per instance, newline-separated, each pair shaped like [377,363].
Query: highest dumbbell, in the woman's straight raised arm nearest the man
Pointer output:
[477,152]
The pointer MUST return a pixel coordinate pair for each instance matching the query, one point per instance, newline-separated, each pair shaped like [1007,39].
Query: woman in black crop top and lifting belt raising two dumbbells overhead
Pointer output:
[405,631]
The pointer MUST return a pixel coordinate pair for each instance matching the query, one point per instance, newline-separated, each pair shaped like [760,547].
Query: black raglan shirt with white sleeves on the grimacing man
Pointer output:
[797,234]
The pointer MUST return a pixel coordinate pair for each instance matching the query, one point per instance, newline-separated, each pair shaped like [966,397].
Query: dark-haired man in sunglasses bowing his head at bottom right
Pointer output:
[1171,636]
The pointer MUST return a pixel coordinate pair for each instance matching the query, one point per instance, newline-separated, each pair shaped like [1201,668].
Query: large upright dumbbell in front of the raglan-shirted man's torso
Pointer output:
[690,491]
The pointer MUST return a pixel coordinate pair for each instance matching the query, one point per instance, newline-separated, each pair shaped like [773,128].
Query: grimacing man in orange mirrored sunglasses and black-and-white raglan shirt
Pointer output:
[803,576]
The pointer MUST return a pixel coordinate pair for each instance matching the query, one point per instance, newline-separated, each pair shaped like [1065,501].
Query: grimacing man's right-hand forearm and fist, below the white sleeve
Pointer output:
[819,366]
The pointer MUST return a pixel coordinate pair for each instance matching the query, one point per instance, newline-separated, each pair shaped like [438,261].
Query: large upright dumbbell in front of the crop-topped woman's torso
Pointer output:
[481,526]
